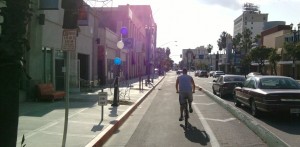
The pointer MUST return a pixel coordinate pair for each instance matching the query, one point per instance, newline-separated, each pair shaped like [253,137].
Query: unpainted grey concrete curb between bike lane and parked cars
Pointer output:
[266,135]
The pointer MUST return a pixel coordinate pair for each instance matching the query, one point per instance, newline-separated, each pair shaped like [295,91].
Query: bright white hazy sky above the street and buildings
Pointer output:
[184,24]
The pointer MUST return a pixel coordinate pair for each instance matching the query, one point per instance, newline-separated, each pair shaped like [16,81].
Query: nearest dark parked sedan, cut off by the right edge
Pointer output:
[269,94]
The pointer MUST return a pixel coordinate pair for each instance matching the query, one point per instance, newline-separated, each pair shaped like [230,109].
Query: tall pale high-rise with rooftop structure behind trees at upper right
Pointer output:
[251,19]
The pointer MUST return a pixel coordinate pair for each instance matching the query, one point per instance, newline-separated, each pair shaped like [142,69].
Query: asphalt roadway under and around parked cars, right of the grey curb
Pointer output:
[282,125]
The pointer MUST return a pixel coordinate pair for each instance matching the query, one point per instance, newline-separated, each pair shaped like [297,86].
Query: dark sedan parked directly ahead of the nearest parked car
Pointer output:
[225,84]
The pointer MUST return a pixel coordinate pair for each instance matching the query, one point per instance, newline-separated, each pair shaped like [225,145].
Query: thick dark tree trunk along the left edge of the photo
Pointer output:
[13,44]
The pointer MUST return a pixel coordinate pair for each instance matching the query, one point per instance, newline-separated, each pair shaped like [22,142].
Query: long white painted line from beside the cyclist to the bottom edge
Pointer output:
[213,140]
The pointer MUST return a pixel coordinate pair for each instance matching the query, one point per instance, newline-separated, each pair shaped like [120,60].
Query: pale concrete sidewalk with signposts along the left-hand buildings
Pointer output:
[42,123]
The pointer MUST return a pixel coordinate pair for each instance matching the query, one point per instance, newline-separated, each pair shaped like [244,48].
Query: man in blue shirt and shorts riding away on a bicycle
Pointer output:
[185,86]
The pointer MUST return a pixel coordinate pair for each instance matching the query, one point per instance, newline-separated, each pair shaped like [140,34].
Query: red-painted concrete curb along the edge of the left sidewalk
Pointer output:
[100,139]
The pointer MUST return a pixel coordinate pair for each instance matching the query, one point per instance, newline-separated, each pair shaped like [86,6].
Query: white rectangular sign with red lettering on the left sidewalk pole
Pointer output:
[69,39]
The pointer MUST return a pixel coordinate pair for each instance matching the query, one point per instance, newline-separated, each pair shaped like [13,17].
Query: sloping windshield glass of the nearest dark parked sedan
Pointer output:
[278,83]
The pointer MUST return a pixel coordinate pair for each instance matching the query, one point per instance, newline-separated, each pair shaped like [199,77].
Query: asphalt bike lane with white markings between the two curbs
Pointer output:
[155,123]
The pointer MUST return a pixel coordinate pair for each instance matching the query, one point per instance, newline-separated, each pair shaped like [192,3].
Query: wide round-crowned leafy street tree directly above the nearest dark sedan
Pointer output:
[259,55]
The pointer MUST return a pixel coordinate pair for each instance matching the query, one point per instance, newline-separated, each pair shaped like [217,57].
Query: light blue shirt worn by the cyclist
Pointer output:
[185,83]
